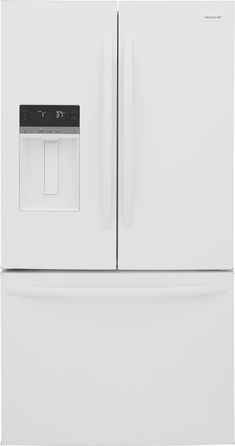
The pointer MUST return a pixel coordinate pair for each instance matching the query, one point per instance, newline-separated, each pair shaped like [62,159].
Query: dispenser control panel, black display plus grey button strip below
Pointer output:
[49,118]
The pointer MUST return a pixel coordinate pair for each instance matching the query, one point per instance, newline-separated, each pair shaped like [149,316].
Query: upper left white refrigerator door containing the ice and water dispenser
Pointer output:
[59,181]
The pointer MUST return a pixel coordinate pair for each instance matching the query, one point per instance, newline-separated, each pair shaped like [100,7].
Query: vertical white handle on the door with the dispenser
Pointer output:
[107,137]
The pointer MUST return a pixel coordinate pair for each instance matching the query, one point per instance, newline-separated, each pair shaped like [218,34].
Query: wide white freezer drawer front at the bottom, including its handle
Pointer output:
[117,358]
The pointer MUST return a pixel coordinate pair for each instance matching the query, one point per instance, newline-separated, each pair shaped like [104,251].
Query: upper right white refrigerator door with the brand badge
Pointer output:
[176,135]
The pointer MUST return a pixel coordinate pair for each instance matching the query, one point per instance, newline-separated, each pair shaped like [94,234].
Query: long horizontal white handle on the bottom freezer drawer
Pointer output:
[134,293]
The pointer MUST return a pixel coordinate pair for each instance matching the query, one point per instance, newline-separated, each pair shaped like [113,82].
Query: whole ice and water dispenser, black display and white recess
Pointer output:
[49,157]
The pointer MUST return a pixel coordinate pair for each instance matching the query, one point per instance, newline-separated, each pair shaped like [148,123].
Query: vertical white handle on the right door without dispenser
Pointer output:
[127,142]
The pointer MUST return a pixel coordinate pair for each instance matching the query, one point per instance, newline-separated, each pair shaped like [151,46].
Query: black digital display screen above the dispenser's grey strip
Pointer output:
[49,116]
